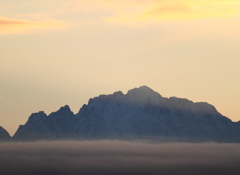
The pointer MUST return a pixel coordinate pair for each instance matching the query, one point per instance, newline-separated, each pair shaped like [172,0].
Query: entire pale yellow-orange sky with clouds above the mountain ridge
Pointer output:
[59,52]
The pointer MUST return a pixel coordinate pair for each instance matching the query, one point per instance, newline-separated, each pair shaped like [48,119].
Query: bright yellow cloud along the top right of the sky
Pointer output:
[175,10]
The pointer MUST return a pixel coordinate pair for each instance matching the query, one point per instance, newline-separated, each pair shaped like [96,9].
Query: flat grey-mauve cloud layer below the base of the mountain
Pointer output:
[117,157]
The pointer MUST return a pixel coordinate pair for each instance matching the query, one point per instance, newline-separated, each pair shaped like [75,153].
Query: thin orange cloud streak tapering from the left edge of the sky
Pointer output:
[19,26]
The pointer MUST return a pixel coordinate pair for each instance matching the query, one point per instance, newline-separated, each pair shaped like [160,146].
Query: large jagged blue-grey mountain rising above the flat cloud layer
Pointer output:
[140,114]
